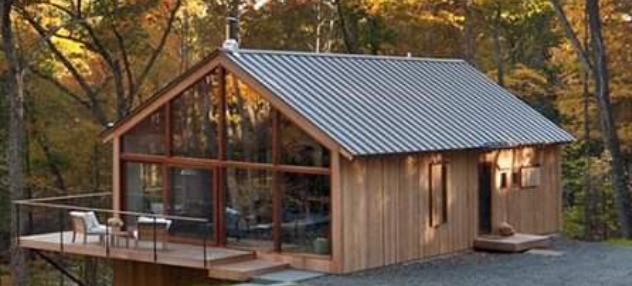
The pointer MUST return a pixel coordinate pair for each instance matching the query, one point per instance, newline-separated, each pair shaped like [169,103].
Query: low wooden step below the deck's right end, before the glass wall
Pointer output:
[244,270]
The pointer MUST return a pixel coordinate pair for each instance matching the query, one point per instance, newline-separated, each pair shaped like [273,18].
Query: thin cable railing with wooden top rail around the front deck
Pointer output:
[89,220]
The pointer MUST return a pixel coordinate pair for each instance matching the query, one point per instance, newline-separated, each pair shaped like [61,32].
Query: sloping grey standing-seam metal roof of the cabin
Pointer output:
[380,105]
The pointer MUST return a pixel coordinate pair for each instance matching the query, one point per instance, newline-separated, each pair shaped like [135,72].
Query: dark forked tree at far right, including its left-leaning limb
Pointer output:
[594,61]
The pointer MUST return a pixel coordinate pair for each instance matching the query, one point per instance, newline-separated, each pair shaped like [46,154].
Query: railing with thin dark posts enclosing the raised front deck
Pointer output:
[53,215]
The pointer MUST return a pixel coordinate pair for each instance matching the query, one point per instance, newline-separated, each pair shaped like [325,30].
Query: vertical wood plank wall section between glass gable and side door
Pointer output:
[386,215]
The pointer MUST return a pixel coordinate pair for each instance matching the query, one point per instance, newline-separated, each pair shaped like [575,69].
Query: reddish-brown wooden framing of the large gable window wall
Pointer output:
[219,165]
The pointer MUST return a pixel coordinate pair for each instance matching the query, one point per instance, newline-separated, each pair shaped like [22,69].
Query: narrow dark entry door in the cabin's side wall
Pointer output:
[484,198]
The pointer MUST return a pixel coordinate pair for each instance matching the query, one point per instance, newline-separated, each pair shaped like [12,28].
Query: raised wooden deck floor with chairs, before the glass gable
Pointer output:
[176,254]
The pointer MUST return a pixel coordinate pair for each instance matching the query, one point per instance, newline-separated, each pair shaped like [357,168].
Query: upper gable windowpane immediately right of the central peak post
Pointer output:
[248,122]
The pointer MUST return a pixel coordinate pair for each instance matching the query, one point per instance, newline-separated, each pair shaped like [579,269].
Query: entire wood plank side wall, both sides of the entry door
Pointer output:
[385,206]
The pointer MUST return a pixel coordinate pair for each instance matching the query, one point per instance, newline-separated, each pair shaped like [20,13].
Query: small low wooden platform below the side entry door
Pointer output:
[518,242]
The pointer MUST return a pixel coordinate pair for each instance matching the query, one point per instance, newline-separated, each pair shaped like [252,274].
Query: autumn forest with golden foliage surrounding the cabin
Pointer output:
[70,68]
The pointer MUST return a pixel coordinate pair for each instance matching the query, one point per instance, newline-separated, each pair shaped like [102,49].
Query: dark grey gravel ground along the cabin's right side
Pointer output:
[580,264]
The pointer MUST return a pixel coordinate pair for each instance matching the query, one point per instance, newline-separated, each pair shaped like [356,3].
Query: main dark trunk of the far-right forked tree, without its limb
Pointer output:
[609,129]
